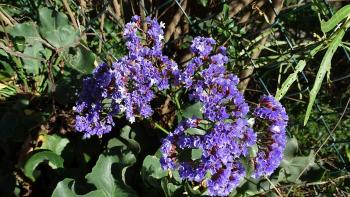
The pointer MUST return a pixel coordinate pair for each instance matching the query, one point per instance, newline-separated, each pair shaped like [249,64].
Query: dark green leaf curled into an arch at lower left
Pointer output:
[50,157]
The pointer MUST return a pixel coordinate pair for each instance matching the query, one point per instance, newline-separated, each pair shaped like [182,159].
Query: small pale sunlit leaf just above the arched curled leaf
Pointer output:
[54,143]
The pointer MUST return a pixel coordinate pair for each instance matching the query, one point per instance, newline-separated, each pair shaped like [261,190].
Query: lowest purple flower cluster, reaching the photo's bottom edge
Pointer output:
[223,148]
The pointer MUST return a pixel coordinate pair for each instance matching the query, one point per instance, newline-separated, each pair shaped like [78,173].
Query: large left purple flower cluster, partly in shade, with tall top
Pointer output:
[129,85]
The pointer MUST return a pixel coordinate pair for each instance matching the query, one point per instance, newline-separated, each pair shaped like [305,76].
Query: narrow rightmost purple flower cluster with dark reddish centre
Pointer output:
[271,142]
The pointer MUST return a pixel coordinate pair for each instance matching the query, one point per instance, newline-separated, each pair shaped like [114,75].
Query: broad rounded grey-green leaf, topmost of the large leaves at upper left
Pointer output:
[55,28]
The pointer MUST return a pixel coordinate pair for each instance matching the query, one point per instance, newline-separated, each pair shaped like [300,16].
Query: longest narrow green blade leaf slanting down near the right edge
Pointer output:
[325,67]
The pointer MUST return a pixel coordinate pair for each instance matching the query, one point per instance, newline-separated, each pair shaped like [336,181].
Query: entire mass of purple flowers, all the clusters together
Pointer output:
[211,150]
